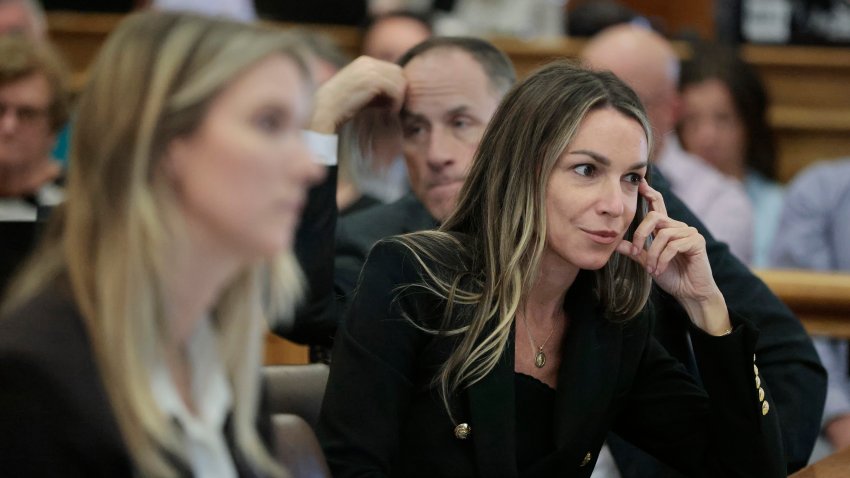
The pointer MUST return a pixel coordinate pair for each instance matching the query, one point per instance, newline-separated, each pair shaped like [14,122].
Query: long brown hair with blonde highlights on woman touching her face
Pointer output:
[496,236]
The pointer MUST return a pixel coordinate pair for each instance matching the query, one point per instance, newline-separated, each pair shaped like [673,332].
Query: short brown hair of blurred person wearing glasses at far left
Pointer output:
[21,57]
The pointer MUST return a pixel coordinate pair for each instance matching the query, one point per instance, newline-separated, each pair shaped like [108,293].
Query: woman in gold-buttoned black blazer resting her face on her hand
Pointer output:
[511,340]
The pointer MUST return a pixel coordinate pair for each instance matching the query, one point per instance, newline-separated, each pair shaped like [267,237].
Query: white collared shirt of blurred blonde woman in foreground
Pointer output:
[203,434]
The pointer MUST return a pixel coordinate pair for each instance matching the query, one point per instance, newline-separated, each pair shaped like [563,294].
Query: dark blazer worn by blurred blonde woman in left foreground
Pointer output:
[55,418]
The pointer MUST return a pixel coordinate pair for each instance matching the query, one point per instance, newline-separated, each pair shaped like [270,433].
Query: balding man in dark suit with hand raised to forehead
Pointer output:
[453,87]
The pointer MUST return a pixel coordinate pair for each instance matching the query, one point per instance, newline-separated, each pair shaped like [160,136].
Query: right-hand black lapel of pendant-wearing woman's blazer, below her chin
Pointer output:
[589,365]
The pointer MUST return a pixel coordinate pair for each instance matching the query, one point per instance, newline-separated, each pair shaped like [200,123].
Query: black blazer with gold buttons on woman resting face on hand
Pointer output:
[381,416]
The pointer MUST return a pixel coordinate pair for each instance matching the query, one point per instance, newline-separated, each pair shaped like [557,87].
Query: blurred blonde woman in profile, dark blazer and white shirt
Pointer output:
[131,343]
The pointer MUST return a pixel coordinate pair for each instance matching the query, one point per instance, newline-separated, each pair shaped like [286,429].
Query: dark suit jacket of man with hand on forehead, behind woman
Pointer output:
[787,359]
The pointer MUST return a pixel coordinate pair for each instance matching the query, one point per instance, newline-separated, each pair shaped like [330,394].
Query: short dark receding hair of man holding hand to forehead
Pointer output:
[495,63]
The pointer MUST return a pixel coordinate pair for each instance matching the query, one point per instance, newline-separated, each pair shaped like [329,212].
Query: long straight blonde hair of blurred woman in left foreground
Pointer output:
[153,82]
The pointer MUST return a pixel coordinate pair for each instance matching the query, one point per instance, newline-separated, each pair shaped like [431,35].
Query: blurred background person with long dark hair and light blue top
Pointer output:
[724,121]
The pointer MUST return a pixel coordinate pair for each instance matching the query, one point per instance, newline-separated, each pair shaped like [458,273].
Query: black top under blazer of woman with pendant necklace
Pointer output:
[535,420]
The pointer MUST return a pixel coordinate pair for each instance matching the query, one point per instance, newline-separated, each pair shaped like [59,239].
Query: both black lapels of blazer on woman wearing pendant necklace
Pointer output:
[586,382]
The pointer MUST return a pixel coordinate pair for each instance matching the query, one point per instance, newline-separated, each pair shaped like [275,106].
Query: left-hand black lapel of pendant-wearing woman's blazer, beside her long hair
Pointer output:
[492,412]
